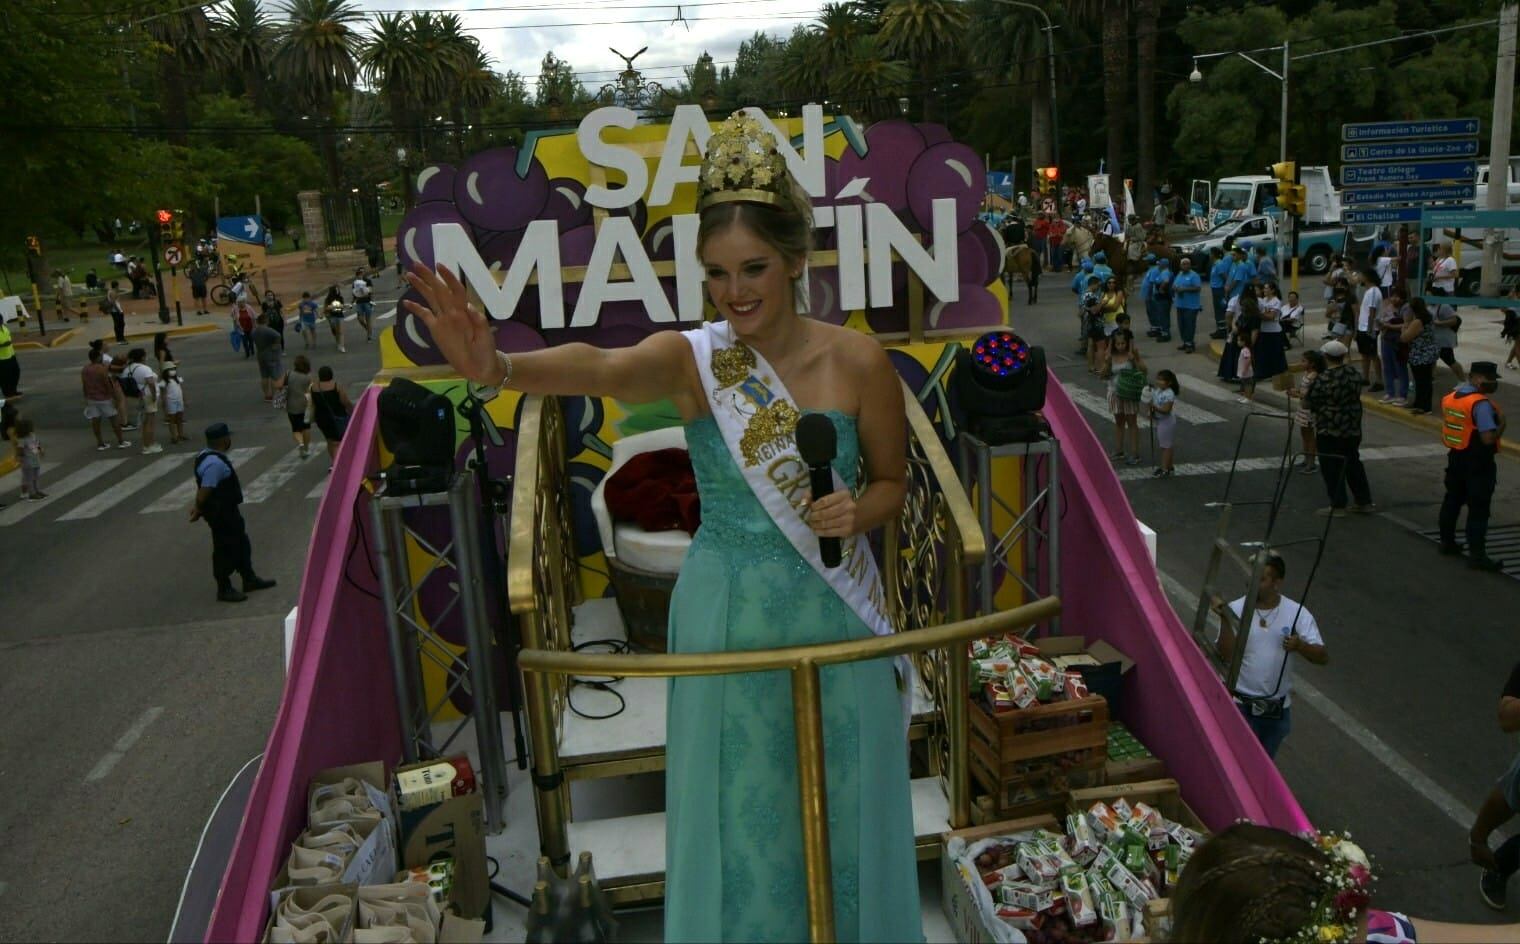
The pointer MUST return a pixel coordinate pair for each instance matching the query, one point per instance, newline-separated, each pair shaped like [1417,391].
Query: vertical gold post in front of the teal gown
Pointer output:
[808,714]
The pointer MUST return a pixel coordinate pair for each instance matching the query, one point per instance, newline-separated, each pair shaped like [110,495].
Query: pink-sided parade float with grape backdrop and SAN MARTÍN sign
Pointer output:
[455,638]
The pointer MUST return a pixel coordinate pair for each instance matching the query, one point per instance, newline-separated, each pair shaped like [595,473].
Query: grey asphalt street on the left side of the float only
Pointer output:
[130,697]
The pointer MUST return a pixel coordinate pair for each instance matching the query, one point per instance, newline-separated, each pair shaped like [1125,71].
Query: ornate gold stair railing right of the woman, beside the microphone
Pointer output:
[926,556]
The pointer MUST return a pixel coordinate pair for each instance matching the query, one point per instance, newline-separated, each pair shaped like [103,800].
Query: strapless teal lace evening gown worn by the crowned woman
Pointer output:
[733,831]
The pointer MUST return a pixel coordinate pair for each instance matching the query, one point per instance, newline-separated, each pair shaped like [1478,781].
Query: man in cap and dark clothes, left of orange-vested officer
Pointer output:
[1335,399]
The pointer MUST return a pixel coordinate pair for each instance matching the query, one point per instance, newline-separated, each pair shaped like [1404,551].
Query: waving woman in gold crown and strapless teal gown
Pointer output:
[733,840]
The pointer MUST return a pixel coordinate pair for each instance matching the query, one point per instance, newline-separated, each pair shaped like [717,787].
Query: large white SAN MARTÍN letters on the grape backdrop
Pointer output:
[867,233]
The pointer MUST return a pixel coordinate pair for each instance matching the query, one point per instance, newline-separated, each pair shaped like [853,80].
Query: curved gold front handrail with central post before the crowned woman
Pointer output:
[803,664]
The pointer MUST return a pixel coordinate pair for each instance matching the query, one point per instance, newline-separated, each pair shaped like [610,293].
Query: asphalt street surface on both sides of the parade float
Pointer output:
[130,697]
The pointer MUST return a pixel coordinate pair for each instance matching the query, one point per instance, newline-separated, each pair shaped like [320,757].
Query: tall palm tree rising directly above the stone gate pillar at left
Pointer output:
[315,57]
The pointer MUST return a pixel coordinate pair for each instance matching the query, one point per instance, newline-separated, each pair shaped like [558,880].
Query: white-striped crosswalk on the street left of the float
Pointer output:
[92,489]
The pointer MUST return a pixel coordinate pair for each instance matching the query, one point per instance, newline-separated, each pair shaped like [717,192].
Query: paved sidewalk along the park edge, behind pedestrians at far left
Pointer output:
[287,274]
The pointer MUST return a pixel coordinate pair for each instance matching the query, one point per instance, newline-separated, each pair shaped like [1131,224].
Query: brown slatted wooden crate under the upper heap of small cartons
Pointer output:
[1030,759]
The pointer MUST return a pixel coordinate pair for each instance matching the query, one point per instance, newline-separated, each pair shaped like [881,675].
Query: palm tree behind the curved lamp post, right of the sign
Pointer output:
[1009,43]
